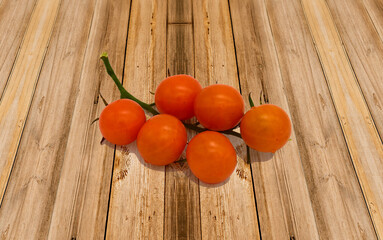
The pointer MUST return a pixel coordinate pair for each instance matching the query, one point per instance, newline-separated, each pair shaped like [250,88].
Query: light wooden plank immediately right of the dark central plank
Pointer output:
[227,210]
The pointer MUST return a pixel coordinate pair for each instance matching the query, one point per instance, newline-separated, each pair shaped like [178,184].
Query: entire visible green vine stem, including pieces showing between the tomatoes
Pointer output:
[149,107]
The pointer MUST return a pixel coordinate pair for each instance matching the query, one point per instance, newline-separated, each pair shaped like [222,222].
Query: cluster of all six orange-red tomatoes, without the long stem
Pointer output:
[210,155]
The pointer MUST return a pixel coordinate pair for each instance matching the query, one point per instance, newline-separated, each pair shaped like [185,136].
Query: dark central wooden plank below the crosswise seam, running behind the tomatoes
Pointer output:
[182,211]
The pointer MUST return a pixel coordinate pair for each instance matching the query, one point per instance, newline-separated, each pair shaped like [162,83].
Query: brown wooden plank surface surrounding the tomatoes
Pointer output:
[320,60]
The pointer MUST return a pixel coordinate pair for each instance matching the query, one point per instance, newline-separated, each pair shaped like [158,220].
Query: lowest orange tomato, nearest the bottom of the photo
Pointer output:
[211,157]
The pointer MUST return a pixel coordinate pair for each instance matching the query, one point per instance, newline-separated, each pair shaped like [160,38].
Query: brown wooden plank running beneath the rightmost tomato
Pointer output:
[283,200]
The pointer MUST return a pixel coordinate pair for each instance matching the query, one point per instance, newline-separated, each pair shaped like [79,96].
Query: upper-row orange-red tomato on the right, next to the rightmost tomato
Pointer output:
[219,107]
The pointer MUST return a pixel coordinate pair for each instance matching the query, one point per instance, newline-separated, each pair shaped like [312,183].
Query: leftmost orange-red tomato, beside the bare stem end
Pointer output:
[121,120]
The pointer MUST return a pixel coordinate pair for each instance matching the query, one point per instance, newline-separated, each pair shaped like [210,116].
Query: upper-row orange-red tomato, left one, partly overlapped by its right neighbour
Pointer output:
[176,94]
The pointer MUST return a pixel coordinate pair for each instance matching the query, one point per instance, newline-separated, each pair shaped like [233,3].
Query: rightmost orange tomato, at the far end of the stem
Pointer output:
[266,128]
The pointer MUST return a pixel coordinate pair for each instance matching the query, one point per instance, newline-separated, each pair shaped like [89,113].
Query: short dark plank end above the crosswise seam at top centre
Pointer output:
[180,11]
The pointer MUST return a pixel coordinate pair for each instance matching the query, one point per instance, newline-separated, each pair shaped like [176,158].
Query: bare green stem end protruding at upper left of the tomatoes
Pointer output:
[123,92]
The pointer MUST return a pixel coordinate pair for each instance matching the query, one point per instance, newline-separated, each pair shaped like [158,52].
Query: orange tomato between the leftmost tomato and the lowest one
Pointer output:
[161,140]
